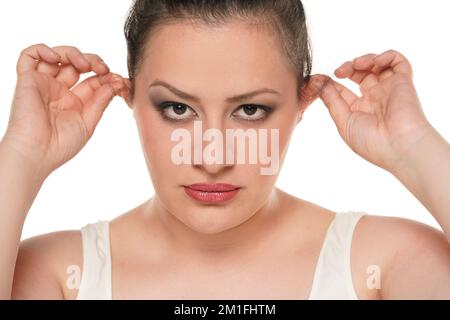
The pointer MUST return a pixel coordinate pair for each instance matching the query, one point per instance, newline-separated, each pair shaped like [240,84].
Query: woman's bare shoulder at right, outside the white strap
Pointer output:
[413,258]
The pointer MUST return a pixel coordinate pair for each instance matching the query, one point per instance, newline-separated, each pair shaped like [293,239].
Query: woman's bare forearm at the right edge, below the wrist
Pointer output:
[425,171]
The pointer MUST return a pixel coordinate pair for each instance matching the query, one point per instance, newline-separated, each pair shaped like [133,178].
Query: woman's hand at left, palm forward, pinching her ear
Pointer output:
[52,117]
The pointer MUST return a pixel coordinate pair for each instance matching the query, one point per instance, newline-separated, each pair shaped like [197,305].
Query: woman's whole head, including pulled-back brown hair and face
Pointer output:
[197,55]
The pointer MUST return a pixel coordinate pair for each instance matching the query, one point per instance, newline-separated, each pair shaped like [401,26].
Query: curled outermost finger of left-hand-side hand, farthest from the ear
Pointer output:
[30,57]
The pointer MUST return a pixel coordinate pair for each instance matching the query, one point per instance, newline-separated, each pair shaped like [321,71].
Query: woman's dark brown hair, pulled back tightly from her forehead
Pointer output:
[286,17]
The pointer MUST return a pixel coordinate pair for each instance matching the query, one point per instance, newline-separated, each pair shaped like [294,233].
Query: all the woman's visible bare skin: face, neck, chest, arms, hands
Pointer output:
[172,247]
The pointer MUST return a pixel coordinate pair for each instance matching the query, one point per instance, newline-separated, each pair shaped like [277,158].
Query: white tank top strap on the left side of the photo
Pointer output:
[96,275]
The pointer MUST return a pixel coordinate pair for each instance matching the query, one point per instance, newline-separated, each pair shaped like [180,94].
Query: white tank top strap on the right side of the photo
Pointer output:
[333,276]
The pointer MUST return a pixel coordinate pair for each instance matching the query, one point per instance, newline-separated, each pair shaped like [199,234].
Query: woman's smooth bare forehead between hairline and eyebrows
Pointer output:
[235,53]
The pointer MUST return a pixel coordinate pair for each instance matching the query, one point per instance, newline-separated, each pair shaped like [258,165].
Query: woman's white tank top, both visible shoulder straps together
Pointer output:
[332,277]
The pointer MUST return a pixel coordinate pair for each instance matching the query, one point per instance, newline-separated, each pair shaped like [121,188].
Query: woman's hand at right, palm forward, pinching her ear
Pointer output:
[387,120]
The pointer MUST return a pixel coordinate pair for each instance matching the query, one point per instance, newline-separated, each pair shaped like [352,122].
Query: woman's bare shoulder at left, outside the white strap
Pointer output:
[43,263]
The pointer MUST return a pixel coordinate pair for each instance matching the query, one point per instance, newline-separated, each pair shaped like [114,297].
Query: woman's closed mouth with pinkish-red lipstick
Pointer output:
[212,193]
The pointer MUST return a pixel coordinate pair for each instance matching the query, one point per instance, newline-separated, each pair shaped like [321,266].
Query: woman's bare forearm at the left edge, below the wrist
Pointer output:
[19,185]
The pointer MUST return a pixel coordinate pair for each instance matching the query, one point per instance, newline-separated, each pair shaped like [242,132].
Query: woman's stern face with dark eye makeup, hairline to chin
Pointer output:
[213,64]
